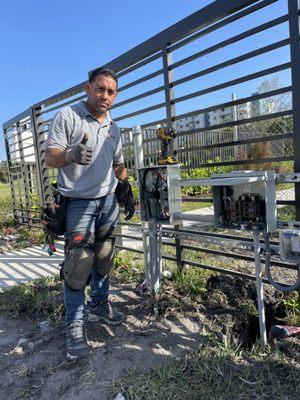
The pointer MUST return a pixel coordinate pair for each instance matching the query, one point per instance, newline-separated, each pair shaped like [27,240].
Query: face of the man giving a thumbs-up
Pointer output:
[101,94]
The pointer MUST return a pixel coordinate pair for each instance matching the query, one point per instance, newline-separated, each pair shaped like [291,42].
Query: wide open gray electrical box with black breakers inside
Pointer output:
[245,200]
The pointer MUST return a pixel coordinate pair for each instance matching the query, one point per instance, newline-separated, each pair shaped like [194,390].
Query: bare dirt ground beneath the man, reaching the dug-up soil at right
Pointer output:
[41,371]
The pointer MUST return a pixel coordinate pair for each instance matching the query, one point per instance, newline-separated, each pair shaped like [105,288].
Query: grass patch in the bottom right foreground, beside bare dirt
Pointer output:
[215,373]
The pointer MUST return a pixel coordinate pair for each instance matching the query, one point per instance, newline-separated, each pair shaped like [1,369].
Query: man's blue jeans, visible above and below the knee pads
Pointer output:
[86,216]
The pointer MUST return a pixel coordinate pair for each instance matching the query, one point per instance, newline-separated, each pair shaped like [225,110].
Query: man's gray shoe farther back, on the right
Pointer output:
[104,312]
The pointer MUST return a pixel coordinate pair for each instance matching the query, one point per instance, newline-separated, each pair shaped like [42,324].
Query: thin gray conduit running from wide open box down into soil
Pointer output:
[259,289]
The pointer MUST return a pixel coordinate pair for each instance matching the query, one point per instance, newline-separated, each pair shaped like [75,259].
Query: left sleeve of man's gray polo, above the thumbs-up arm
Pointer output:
[58,132]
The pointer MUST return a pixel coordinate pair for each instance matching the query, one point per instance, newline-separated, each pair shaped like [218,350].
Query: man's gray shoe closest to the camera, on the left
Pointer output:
[77,346]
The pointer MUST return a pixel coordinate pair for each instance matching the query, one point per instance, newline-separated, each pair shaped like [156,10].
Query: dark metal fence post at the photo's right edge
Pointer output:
[293,7]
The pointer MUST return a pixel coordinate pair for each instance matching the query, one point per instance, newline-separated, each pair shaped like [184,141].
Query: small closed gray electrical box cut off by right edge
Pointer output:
[289,245]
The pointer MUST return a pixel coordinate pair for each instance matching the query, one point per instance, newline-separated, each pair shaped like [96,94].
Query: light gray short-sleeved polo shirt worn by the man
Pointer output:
[98,178]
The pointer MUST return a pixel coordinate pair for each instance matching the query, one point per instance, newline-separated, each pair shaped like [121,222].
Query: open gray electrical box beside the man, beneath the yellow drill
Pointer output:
[158,199]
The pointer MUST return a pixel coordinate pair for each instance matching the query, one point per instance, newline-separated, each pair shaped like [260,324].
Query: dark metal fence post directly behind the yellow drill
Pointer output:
[170,114]
